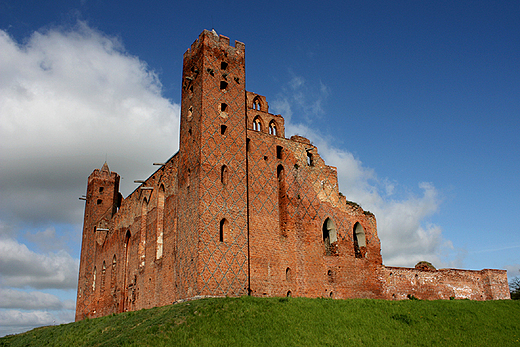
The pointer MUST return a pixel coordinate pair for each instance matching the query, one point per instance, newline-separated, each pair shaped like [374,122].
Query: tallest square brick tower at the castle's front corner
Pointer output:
[213,233]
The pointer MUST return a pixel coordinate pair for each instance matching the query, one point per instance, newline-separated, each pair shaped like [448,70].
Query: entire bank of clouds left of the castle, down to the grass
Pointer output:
[69,99]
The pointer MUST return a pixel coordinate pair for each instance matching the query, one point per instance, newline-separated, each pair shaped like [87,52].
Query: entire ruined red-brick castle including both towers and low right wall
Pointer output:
[240,209]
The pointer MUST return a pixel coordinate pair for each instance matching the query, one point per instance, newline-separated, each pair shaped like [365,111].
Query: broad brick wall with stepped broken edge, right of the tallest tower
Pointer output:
[290,201]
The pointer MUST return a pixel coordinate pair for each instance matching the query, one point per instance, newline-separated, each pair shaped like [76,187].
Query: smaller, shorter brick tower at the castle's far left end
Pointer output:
[102,202]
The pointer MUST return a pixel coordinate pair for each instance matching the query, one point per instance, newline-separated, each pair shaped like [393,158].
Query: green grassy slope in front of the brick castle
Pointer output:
[249,321]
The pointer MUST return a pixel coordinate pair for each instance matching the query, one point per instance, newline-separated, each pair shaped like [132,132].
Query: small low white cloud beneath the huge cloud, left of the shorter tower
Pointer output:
[20,267]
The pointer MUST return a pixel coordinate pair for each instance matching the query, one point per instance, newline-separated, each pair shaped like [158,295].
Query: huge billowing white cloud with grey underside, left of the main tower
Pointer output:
[67,99]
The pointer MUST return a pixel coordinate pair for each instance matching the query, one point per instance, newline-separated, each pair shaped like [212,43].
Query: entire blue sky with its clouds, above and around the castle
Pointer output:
[417,103]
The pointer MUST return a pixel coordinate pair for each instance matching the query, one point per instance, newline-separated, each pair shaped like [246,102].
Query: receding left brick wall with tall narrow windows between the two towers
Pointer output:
[129,274]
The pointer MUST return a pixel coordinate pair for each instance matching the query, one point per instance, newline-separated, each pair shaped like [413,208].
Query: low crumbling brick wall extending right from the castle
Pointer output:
[399,283]
